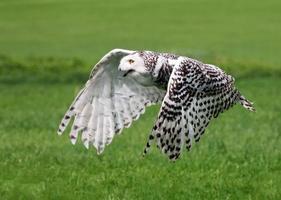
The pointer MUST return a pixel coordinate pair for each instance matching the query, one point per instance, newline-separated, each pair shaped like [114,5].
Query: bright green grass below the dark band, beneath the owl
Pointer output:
[237,158]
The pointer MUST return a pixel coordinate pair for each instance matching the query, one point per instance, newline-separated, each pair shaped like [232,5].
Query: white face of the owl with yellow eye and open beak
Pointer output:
[133,64]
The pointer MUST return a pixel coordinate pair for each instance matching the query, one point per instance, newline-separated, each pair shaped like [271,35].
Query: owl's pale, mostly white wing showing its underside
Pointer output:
[108,103]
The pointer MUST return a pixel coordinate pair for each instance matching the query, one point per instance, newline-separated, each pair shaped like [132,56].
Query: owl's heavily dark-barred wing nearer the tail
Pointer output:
[196,93]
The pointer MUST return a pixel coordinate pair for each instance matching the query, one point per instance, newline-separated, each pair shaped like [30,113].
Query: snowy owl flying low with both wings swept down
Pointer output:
[124,82]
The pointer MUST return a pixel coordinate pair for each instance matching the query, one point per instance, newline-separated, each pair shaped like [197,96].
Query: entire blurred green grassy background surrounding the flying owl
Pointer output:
[47,49]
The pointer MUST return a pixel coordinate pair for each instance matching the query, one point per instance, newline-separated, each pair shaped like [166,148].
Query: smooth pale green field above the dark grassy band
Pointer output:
[240,30]
